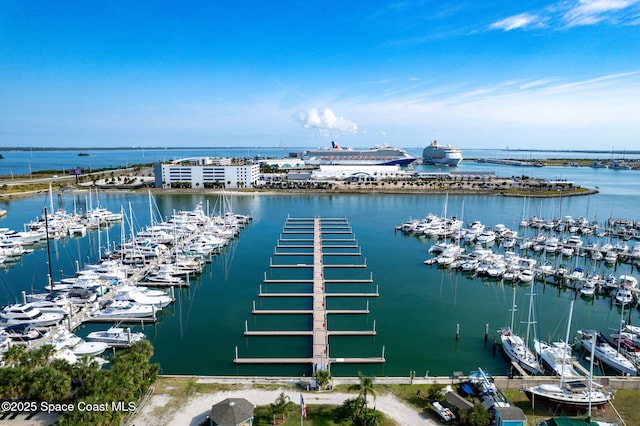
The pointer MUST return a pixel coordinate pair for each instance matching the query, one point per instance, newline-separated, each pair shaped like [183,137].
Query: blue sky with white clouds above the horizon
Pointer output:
[520,74]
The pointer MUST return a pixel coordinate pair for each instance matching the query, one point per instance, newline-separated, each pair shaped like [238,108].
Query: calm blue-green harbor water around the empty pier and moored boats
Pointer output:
[411,297]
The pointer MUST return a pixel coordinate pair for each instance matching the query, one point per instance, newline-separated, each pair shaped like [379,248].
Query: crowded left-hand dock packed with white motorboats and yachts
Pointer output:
[110,291]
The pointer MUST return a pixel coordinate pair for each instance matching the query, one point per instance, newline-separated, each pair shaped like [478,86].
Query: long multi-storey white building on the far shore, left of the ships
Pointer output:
[206,175]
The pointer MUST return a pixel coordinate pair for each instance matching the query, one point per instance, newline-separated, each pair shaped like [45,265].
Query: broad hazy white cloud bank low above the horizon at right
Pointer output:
[550,112]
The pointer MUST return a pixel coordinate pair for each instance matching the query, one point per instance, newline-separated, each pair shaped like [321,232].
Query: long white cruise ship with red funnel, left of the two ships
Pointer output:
[375,156]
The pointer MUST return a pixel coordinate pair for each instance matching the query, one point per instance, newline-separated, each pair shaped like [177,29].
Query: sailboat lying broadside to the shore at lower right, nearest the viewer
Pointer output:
[571,393]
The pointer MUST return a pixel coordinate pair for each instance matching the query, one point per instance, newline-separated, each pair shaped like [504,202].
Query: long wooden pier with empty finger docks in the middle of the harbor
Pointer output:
[320,354]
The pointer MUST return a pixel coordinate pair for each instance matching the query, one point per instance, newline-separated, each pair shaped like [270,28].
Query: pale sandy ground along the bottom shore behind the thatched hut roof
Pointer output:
[196,410]
